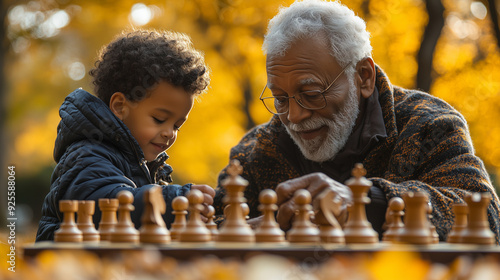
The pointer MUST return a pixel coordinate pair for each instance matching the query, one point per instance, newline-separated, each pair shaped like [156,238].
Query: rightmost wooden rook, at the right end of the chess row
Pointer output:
[478,229]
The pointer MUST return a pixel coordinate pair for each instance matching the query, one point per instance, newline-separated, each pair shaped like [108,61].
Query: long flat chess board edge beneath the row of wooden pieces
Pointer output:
[444,253]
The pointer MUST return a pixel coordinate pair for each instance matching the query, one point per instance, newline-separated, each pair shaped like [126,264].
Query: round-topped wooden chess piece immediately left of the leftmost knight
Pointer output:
[124,229]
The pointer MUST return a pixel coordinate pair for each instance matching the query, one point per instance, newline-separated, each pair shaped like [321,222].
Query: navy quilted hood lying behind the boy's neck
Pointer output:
[86,117]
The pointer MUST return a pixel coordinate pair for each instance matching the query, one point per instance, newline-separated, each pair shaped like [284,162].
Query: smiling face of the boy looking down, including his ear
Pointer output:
[155,120]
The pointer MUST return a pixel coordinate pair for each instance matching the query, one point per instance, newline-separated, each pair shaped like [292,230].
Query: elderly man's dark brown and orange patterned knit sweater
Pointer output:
[428,148]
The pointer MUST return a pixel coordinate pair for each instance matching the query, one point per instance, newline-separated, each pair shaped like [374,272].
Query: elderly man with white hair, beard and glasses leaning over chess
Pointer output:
[333,107]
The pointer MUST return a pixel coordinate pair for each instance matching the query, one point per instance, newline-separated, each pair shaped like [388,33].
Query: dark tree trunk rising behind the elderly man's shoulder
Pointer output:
[432,33]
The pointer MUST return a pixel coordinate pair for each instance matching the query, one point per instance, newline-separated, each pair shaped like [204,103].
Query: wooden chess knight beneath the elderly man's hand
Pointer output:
[327,207]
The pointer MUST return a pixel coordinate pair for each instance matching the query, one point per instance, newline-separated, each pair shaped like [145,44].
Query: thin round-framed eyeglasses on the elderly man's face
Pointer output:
[311,100]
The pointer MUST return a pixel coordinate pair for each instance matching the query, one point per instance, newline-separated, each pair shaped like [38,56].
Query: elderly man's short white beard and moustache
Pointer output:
[340,127]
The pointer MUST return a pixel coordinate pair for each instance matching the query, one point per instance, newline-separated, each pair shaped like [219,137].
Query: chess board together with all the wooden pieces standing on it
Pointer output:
[304,242]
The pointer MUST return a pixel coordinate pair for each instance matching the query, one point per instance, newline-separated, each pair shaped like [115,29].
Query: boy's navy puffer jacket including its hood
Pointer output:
[97,157]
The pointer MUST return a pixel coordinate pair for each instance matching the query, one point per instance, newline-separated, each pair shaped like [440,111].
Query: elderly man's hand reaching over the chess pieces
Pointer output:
[315,183]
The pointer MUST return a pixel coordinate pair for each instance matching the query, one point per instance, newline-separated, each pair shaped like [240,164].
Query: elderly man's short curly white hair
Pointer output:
[346,32]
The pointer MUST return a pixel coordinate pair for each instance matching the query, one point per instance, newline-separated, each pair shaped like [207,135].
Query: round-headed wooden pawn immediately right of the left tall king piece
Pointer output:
[269,230]
